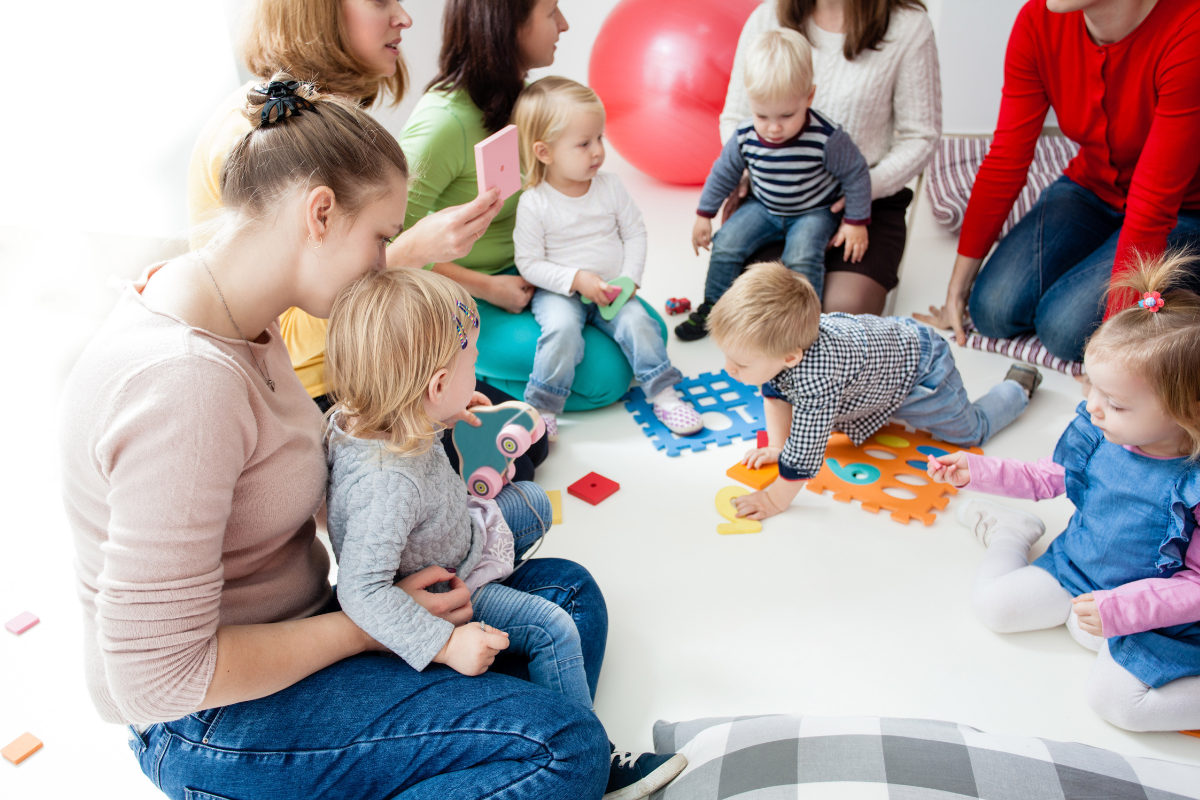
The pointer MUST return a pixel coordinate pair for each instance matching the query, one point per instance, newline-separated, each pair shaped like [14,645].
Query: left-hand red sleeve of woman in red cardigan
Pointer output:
[1023,110]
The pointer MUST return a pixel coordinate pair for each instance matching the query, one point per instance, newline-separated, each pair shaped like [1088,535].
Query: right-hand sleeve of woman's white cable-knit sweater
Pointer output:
[917,109]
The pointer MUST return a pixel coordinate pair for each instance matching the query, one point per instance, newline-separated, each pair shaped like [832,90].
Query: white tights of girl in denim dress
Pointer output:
[1011,596]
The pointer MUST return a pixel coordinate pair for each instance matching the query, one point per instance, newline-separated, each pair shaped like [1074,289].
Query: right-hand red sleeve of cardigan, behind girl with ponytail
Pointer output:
[1169,160]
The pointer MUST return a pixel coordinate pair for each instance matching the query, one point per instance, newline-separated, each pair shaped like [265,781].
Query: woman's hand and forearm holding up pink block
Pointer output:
[446,236]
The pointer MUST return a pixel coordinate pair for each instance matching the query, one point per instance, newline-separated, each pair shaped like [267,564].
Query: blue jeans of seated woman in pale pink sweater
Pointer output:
[374,727]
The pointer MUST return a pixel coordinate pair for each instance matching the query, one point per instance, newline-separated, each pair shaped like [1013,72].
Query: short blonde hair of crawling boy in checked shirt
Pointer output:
[770,310]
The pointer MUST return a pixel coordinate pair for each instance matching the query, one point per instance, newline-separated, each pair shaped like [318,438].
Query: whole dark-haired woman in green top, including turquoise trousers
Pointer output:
[489,47]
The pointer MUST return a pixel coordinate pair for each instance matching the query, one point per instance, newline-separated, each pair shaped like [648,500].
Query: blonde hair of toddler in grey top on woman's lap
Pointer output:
[389,333]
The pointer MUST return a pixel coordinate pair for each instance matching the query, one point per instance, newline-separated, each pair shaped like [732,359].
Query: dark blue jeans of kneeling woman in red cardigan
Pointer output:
[1051,274]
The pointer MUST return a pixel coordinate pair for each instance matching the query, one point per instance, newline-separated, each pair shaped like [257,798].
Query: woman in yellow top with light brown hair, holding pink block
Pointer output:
[350,49]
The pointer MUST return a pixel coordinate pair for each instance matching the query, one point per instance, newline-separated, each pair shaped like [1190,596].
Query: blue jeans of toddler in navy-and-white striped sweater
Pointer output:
[752,227]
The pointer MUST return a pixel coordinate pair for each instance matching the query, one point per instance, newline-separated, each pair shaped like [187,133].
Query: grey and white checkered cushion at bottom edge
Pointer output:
[879,759]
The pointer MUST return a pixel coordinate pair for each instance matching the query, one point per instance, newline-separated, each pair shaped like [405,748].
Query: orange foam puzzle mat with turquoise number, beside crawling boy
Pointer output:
[866,477]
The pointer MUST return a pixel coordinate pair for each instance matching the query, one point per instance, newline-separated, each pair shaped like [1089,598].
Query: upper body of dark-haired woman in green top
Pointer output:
[489,47]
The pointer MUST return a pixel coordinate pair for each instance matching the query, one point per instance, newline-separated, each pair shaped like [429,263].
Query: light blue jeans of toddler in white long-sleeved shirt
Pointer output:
[561,347]
